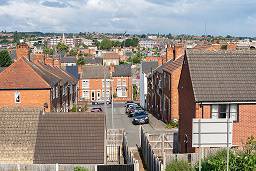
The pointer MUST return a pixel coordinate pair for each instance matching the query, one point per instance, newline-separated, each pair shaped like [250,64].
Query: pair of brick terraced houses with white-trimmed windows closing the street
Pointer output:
[92,83]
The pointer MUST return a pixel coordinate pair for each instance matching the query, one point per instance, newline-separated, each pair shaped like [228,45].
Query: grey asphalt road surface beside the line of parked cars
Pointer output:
[121,120]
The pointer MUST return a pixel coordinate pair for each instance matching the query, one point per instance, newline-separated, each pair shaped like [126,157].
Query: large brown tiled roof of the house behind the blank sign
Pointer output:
[223,75]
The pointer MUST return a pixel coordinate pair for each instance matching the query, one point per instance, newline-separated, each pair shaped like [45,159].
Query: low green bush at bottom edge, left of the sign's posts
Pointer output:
[179,165]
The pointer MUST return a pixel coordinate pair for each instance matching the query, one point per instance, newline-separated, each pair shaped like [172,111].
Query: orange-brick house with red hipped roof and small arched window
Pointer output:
[28,84]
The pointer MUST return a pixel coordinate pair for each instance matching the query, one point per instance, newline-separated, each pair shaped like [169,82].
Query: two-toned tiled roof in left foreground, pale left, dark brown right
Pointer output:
[27,135]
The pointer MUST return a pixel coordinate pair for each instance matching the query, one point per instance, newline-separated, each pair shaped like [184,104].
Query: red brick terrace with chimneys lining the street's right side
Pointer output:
[163,85]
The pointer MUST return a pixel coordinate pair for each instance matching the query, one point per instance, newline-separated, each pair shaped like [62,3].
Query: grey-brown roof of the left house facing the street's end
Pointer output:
[94,72]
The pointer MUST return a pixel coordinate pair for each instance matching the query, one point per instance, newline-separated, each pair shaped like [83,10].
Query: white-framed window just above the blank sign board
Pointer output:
[225,111]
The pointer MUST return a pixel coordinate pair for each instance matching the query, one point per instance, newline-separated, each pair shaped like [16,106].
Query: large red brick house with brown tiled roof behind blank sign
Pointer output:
[218,85]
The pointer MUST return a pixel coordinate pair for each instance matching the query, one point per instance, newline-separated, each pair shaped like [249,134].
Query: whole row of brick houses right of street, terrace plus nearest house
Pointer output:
[205,84]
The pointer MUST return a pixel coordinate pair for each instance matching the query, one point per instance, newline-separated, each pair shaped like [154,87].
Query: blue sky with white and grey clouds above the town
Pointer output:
[214,17]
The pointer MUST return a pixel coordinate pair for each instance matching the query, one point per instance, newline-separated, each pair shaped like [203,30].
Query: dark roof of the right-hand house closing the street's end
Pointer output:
[123,70]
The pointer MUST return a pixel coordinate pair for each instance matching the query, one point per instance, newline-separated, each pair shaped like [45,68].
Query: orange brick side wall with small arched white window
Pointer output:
[29,98]
